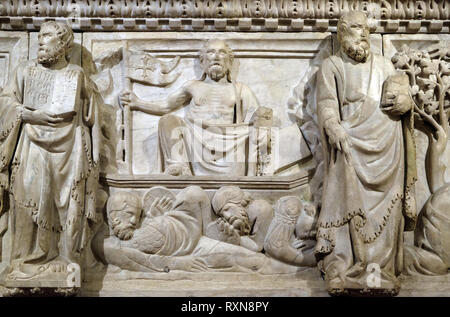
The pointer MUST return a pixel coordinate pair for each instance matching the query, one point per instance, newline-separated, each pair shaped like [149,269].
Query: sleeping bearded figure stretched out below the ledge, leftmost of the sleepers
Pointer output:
[173,240]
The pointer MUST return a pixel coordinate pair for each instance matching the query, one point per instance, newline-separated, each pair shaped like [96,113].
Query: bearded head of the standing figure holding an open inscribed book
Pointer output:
[55,42]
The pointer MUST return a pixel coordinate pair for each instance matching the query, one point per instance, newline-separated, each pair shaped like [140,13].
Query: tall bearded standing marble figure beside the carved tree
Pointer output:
[367,192]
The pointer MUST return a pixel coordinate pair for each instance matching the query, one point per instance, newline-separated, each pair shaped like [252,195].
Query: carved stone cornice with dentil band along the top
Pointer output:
[387,16]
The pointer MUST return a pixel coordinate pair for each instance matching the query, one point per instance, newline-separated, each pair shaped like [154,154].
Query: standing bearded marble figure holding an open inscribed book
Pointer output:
[50,145]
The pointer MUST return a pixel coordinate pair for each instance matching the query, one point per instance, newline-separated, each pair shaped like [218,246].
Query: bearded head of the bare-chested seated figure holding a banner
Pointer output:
[216,58]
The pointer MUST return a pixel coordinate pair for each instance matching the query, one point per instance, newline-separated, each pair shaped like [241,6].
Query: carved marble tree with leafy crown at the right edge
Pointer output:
[429,79]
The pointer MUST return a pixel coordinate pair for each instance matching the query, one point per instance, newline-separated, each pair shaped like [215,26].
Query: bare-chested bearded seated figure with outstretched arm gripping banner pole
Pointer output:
[211,138]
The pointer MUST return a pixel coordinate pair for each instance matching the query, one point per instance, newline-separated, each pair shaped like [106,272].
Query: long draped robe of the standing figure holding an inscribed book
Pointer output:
[54,172]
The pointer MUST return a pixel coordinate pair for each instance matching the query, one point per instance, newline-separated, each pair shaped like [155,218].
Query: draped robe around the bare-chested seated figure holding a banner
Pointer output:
[212,145]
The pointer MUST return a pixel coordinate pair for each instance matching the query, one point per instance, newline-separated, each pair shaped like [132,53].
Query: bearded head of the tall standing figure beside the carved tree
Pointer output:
[353,35]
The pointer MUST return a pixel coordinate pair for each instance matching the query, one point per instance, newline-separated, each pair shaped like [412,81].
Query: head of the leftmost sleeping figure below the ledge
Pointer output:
[124,212]
